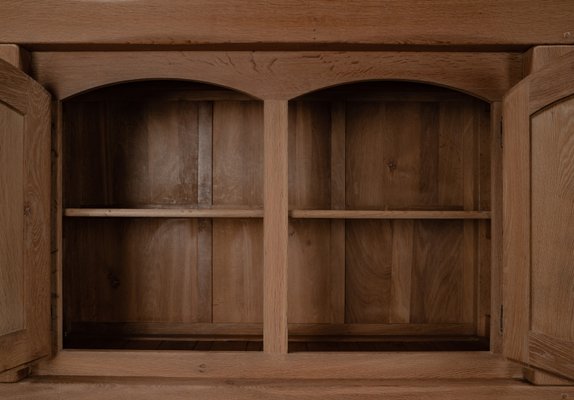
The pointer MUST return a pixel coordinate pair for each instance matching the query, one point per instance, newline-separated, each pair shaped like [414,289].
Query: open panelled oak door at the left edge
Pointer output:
[24,221]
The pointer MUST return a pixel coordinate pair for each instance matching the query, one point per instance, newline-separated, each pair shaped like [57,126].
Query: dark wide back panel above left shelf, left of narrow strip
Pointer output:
[130,154]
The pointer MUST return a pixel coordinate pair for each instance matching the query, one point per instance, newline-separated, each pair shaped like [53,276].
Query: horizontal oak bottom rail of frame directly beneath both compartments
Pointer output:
[306,366]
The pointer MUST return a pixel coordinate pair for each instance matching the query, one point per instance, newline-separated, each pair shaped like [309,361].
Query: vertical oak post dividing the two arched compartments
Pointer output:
[275,231]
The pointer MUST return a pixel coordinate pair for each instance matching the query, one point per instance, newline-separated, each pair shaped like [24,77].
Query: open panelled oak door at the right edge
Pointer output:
[538,195]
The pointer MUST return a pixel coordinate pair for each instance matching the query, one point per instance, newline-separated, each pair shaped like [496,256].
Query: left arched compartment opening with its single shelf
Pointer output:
[162,196]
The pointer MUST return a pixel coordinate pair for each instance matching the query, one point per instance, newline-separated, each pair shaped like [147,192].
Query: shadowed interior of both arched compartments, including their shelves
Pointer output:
[389,230]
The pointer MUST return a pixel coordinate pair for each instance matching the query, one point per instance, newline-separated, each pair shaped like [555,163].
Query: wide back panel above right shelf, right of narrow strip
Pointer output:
[405,155]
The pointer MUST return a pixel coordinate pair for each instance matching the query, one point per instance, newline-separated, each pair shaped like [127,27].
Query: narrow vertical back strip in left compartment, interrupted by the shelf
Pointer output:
[202,301]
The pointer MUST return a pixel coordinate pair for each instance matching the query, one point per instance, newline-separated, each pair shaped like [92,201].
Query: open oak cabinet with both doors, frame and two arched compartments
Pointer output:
[288,212]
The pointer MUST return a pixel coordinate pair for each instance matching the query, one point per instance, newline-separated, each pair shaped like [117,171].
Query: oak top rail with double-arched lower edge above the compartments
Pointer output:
[280,75]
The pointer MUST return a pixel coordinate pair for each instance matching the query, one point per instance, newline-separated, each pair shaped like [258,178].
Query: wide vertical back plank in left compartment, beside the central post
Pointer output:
[237,182]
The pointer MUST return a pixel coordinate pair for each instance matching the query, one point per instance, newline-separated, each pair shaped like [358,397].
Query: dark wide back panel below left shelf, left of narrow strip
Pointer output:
[131,270]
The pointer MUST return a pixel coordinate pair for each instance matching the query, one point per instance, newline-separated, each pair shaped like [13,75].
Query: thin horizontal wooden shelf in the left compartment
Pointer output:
[164,212]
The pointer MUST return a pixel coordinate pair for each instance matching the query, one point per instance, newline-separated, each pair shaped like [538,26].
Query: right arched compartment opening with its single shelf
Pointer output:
[389,192]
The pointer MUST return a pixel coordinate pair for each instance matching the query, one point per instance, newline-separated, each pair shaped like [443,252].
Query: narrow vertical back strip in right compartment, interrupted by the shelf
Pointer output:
[337,275]
